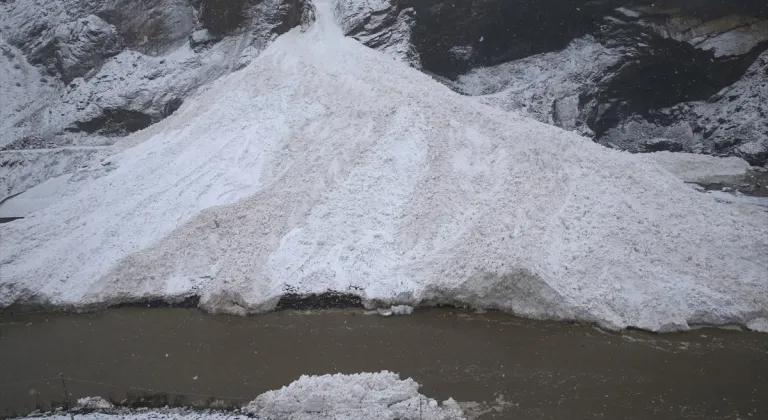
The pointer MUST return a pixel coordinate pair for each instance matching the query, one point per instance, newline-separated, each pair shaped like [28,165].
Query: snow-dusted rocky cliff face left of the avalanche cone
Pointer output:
[80,74]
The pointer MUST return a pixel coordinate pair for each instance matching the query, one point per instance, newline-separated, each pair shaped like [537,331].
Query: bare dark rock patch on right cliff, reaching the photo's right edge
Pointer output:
[654,73]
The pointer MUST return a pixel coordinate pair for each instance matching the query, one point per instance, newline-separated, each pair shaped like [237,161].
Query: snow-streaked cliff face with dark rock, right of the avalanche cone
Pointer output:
[642,76]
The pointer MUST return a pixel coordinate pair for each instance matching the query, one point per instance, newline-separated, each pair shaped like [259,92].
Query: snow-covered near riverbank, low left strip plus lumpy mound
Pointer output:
[370,396]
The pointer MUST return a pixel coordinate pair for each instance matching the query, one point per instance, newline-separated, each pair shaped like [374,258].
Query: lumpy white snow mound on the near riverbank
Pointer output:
[360,396]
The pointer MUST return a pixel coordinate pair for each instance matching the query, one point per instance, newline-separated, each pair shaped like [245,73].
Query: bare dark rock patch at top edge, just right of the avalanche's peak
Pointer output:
[493,32]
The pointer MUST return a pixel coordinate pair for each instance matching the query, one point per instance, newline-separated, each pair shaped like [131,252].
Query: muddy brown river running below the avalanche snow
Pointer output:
[514,368]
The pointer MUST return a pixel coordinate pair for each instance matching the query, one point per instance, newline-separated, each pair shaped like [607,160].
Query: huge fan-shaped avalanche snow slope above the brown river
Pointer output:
[325,165]
